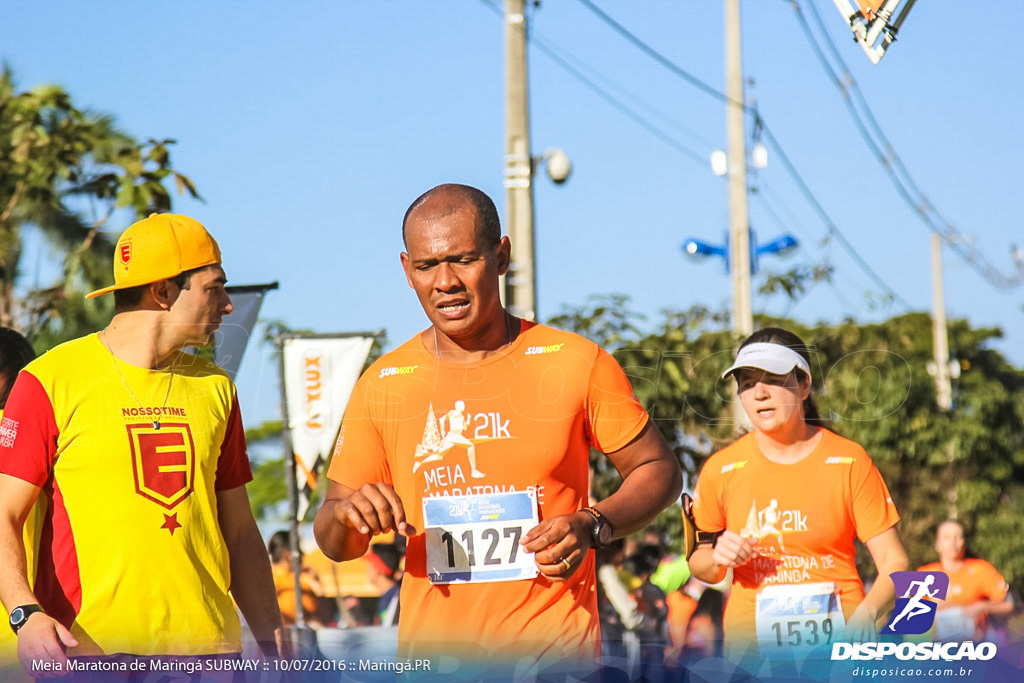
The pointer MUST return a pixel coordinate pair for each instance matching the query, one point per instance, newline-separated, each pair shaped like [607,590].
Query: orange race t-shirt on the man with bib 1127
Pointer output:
[531,413]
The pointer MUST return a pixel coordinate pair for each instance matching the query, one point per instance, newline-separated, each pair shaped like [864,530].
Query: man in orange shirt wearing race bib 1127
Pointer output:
[498,566]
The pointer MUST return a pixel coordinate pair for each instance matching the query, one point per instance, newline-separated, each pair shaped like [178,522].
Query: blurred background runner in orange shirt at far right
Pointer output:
[976,588]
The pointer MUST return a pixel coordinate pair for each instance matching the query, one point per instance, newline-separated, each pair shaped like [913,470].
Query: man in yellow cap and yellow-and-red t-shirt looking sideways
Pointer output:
[137,450]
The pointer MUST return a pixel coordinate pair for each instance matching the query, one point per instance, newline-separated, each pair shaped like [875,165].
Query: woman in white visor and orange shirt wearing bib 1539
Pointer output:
[788,500]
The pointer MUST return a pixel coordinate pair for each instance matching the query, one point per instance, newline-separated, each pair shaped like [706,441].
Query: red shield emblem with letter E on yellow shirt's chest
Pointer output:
[163,462]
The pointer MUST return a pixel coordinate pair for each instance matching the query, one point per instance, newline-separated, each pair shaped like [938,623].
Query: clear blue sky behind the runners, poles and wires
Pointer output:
[310,127]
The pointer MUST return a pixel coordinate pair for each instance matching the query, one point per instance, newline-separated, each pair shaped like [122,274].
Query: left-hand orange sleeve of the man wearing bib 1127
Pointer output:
[360,456]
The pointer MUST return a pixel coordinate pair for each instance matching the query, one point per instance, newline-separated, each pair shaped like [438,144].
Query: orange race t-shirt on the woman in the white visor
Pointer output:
[803,519]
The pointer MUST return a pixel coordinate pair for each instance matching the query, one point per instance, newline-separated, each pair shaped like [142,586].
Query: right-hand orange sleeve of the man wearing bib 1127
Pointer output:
[615,417]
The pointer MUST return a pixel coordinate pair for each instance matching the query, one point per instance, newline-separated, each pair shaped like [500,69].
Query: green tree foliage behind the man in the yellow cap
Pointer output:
[66,173]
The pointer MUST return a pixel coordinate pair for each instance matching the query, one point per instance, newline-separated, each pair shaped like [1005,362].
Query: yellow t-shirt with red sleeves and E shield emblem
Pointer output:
[132,558]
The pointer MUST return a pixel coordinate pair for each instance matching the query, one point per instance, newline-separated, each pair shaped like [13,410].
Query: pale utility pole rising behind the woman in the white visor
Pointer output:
[740,227]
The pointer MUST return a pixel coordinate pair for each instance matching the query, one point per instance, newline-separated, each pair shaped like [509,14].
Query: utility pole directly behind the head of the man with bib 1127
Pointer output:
[521,283]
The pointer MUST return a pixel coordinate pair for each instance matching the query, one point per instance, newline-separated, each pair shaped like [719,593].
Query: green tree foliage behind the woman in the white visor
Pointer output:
[873,380]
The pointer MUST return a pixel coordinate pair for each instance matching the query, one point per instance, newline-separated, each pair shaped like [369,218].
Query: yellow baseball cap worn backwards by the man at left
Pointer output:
[158,248]
